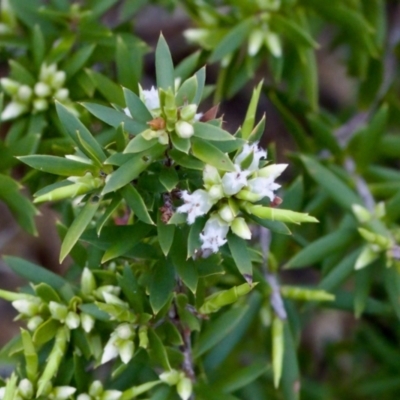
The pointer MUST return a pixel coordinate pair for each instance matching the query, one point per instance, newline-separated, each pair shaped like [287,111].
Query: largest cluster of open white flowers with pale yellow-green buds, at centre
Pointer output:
[227,192]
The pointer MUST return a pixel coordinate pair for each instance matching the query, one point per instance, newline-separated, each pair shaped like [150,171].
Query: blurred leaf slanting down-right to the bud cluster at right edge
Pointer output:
[335,187]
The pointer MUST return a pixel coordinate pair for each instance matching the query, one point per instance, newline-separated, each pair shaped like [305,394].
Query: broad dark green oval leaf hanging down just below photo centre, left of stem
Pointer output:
[162,284]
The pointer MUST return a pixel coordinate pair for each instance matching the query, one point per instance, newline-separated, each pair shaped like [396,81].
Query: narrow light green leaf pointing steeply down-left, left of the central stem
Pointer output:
[78,226]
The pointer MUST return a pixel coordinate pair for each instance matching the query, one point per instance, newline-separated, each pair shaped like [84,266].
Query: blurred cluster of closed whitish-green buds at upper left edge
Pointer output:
[25,98]
